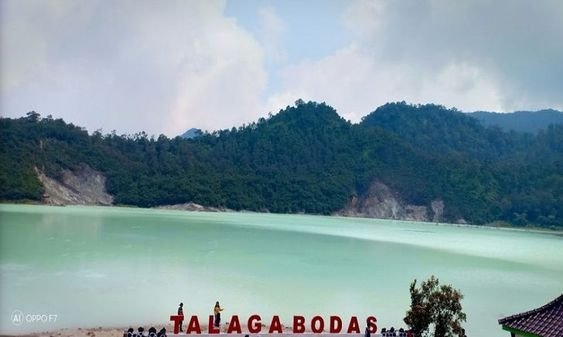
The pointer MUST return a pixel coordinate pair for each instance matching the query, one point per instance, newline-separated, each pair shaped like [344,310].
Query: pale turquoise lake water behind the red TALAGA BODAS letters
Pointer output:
[96,266]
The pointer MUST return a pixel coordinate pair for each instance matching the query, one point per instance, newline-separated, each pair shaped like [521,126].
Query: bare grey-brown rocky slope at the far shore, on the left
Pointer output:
[82,186]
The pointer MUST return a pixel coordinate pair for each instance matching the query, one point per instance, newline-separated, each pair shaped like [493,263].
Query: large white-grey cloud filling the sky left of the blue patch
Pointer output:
[162,67]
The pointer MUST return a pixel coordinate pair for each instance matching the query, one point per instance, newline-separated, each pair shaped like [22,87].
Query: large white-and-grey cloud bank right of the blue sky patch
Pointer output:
[473,55]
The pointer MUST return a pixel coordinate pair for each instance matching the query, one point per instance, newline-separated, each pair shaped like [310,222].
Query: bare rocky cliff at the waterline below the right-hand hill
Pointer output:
[383,203]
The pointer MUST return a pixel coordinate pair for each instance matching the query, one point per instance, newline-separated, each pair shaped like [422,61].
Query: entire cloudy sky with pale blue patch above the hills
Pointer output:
[167,66]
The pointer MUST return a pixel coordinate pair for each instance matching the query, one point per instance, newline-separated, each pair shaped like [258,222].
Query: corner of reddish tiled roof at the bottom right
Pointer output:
[546,321]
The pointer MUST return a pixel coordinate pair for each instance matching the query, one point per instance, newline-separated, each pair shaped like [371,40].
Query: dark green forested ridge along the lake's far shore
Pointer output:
[307,159]
